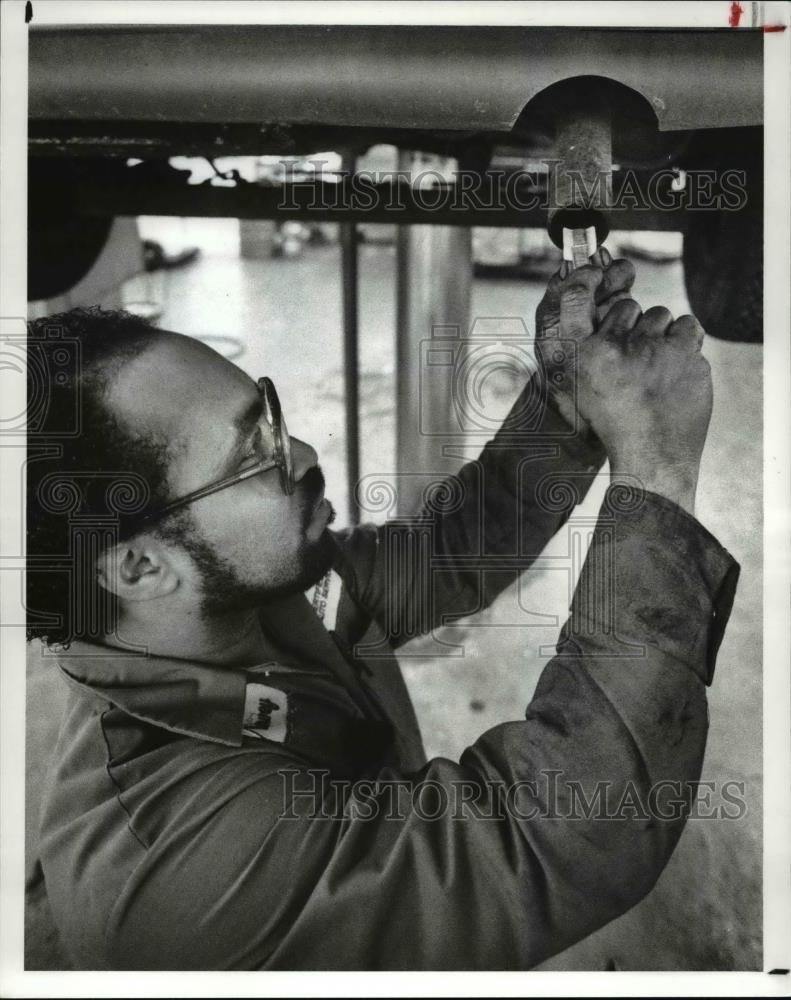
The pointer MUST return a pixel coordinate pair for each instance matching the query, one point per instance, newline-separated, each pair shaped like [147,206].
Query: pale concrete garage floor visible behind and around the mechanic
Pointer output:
[705,912]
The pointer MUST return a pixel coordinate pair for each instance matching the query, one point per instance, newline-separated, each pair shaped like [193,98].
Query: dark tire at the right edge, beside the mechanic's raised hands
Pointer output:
[723,273]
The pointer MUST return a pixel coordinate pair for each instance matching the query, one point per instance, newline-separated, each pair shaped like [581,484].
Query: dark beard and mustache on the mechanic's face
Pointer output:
[223,590]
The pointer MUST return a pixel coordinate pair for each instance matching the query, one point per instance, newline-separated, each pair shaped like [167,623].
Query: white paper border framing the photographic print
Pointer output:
[14,981]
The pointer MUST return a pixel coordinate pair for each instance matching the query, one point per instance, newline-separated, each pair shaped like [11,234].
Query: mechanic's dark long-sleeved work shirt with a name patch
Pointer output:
[285,817]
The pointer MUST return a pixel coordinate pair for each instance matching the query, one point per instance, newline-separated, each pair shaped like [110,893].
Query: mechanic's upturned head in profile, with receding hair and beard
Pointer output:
[171,410]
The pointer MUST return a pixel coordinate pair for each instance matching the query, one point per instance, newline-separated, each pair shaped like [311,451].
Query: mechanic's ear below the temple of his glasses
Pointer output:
[138,570]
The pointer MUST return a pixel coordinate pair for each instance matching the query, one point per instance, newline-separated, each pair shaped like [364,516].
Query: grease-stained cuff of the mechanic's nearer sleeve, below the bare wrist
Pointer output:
[673,583]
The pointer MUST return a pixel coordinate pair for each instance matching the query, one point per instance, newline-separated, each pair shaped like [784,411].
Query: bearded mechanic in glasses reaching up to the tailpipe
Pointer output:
[239,781]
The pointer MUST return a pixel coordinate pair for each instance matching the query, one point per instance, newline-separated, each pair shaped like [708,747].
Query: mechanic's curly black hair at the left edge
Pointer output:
[90,478]
